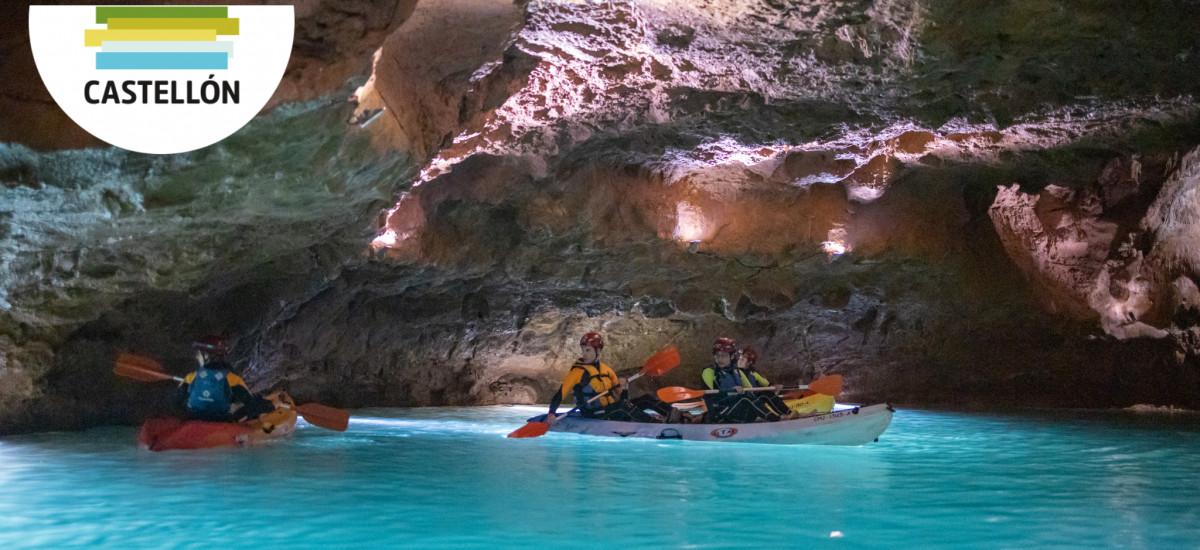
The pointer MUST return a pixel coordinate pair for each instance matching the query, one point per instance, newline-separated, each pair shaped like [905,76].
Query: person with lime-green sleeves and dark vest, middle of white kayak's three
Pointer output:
[730,406]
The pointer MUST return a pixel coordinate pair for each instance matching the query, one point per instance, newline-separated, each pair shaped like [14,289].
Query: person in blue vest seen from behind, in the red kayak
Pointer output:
[212,392]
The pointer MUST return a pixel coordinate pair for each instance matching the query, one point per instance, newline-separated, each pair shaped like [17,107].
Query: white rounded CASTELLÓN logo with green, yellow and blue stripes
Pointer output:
[161,80]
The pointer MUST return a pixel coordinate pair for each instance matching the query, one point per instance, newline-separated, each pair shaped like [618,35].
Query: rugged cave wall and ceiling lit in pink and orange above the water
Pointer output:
[951,204]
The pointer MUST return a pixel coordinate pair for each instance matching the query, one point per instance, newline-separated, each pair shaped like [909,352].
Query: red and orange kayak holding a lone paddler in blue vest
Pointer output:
[169,434]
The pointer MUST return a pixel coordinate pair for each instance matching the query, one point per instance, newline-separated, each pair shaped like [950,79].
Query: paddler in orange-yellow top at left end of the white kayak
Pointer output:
[587,379]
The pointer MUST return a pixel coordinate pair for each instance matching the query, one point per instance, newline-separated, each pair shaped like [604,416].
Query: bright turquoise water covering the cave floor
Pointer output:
[449,479]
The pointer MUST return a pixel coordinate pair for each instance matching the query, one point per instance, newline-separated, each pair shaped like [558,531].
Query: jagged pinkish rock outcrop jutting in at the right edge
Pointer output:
[1087,252]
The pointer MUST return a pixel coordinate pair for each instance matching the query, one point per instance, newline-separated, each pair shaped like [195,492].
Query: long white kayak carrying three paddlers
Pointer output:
[847,427]
